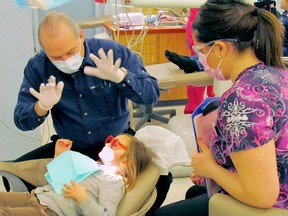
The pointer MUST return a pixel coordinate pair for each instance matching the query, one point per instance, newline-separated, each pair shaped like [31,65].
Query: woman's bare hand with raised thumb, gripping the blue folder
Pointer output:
[203,163]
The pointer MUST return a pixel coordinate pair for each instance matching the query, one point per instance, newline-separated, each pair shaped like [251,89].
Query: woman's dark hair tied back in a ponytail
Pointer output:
[252,27]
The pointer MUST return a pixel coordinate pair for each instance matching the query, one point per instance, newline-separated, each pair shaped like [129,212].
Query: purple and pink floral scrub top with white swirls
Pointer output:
[251,113]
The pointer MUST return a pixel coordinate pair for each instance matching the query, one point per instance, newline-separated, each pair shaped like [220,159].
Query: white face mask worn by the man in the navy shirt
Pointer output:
[70,65]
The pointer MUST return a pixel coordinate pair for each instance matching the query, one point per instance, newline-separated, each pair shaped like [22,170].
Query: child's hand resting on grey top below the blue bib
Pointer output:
[75,191]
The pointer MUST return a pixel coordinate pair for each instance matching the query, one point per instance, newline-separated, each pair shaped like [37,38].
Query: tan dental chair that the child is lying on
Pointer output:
[135,202]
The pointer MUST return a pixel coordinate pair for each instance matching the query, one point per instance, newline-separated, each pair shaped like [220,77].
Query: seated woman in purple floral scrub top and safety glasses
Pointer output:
[248,155]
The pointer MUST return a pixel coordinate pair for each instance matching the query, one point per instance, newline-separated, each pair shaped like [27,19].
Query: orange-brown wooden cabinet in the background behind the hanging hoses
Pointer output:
[156,41]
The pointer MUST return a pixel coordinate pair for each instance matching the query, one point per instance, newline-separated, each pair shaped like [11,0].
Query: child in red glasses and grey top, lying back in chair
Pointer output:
[124,158]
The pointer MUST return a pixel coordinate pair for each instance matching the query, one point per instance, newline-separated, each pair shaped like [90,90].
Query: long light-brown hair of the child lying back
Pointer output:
[136,159]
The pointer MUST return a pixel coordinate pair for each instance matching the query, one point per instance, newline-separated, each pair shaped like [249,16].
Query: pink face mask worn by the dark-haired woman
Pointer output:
[215,73]
